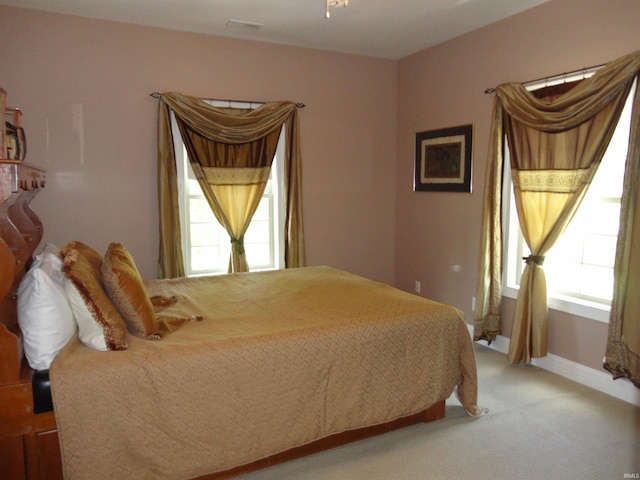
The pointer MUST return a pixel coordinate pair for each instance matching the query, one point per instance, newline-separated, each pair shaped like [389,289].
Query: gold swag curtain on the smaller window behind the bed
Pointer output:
[230,151]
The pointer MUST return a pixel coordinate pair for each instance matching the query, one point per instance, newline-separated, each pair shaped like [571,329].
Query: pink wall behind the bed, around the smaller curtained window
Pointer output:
[102,171]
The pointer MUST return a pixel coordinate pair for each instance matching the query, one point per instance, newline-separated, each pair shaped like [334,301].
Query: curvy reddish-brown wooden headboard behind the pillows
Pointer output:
[20,235]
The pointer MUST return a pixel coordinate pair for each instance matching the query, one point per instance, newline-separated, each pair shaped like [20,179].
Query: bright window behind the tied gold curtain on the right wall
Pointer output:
[579,267]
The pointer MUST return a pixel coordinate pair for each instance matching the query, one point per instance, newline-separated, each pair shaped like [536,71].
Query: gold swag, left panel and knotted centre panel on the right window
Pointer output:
[556,145]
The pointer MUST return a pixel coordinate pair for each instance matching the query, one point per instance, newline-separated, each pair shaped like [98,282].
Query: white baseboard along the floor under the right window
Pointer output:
[598,380]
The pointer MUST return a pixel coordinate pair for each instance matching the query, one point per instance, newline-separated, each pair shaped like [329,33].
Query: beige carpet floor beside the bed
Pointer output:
[539,426]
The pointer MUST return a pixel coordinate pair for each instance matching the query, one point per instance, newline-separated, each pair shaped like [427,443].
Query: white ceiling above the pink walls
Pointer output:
[379,28]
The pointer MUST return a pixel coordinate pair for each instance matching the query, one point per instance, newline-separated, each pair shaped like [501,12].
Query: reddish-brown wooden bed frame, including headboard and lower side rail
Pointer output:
[29,446]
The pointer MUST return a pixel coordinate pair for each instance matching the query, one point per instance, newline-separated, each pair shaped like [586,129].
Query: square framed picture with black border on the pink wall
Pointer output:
[443,160]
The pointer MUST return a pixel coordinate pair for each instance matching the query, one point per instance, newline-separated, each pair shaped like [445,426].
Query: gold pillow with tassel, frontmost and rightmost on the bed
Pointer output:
[126,289]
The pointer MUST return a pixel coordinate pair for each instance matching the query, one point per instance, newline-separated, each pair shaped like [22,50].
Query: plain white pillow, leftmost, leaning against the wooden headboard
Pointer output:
[44,313]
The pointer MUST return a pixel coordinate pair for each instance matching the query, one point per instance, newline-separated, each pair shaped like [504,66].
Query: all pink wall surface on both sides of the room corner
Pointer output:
[358,133]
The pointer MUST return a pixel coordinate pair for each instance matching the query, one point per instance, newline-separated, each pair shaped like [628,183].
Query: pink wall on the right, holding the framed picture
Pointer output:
[443,86]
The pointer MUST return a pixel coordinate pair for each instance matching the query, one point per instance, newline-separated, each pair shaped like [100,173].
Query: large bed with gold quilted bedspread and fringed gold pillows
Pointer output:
[216,376]
